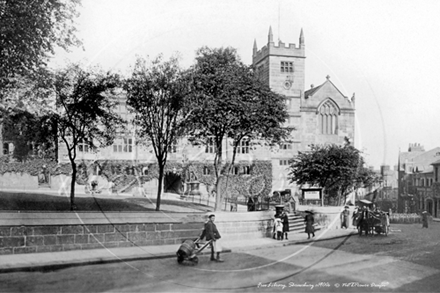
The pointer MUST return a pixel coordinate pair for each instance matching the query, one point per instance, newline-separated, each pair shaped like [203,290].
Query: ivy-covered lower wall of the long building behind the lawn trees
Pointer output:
[248,178]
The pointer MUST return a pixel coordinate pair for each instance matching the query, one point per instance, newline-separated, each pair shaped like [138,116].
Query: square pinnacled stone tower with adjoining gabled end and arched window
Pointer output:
[320,115]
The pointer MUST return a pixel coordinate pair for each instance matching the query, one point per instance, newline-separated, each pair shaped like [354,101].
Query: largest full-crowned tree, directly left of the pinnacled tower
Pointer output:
[228,101]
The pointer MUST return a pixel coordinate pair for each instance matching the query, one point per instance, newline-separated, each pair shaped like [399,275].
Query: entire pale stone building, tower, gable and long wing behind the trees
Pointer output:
[320,115]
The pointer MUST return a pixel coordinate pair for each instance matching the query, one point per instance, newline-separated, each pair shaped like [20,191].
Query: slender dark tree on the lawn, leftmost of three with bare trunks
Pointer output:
[85,103]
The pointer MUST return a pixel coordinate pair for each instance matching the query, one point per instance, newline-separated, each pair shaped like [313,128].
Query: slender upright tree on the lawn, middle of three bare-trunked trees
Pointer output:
[156,96]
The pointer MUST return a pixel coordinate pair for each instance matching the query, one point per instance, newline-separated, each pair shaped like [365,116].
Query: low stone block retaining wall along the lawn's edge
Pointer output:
[49,232]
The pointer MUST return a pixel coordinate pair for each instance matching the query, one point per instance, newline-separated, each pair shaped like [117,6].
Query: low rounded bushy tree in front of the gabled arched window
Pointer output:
[338,169]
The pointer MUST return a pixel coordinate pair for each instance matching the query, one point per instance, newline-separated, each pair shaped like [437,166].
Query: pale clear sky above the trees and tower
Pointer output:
[385,52]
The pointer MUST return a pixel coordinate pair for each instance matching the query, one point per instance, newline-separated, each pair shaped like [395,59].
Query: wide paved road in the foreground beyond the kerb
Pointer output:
[352,264]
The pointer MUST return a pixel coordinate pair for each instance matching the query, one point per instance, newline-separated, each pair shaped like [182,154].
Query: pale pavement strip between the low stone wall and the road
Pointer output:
[57,260]
